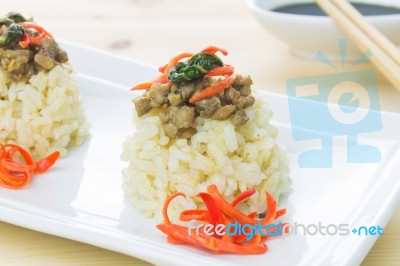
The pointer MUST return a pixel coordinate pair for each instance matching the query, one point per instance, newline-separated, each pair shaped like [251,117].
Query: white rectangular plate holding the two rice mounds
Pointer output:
[81,197]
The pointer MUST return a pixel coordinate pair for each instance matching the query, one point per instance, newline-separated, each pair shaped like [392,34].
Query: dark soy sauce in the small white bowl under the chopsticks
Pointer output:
[314,10]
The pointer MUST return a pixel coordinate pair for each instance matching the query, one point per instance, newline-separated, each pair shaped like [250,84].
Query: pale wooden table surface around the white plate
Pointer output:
[151,31]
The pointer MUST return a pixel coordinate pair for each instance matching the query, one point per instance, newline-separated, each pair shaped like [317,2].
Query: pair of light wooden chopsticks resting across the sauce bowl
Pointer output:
[385,55]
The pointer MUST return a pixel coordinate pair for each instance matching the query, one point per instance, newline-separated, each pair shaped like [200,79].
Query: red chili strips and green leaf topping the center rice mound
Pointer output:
[204,63]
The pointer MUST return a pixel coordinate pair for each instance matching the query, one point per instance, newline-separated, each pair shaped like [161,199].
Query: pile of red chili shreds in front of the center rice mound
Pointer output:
[220,212]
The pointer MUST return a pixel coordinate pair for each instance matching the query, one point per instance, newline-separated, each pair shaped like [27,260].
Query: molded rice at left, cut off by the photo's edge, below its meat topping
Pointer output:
[44,114]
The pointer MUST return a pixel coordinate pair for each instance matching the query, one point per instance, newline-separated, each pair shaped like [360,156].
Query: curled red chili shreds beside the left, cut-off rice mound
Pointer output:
[15,174]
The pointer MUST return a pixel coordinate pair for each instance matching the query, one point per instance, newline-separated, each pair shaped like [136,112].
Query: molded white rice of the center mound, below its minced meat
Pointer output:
[233,158]
